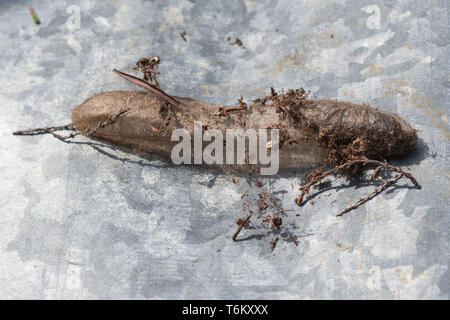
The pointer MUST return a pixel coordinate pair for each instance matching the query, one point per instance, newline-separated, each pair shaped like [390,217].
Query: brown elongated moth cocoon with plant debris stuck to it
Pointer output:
[311,131]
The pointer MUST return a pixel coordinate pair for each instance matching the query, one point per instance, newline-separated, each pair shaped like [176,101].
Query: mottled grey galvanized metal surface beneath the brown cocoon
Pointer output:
[84,220]
